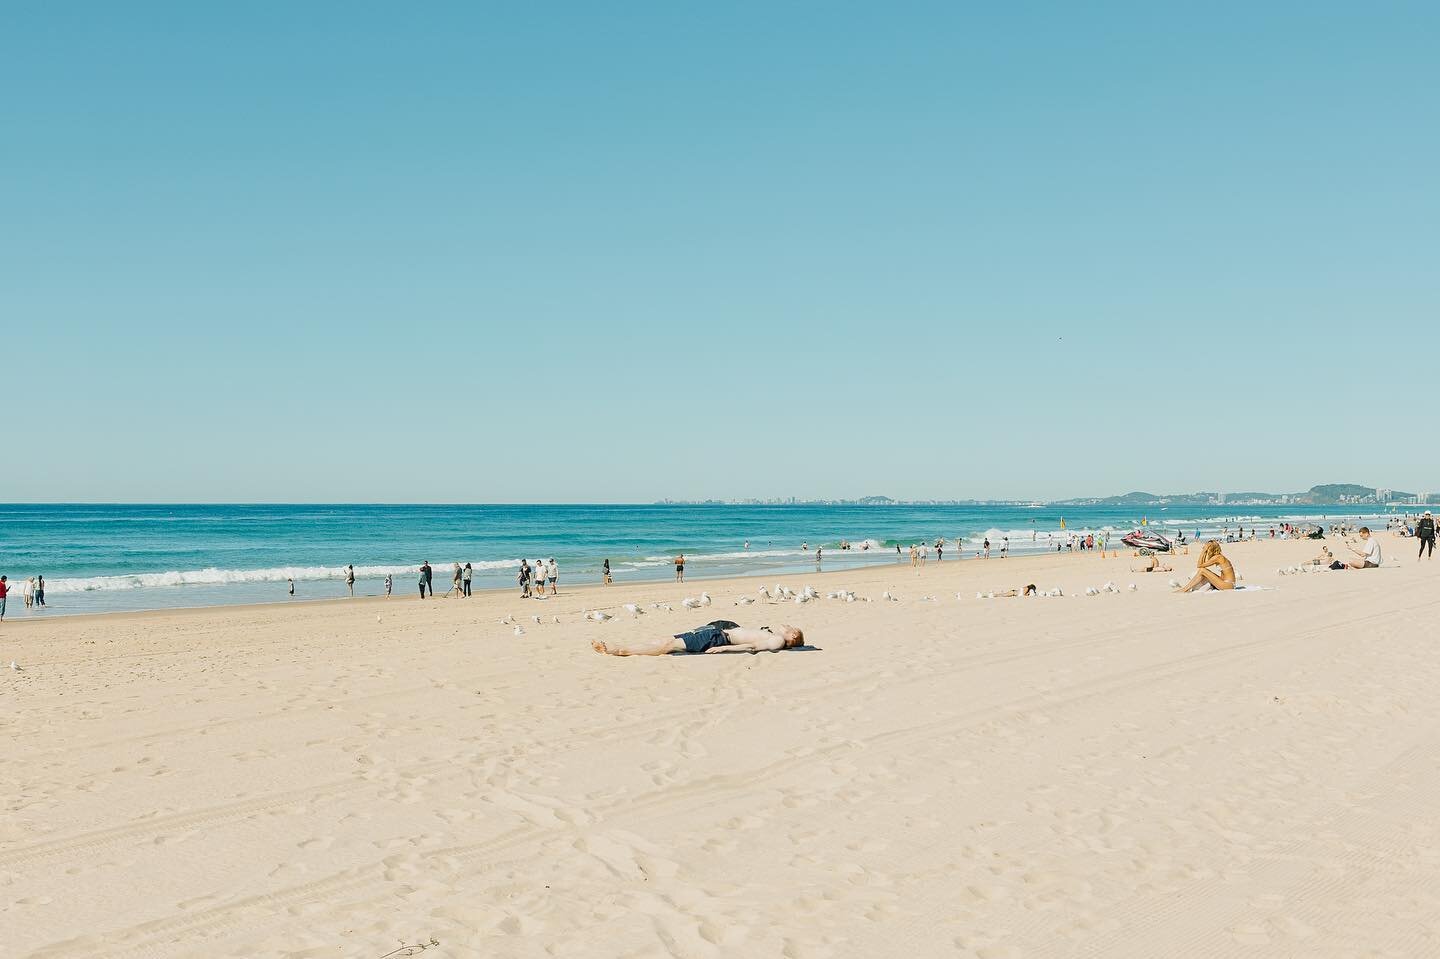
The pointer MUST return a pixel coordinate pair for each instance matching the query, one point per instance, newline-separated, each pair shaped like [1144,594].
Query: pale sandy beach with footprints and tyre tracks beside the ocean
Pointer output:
[1122,775]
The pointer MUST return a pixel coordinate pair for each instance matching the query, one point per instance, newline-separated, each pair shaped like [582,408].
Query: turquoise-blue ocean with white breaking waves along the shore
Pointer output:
[125,558]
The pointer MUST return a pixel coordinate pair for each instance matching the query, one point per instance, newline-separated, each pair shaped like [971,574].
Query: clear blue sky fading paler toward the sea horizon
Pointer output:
[600,253]
